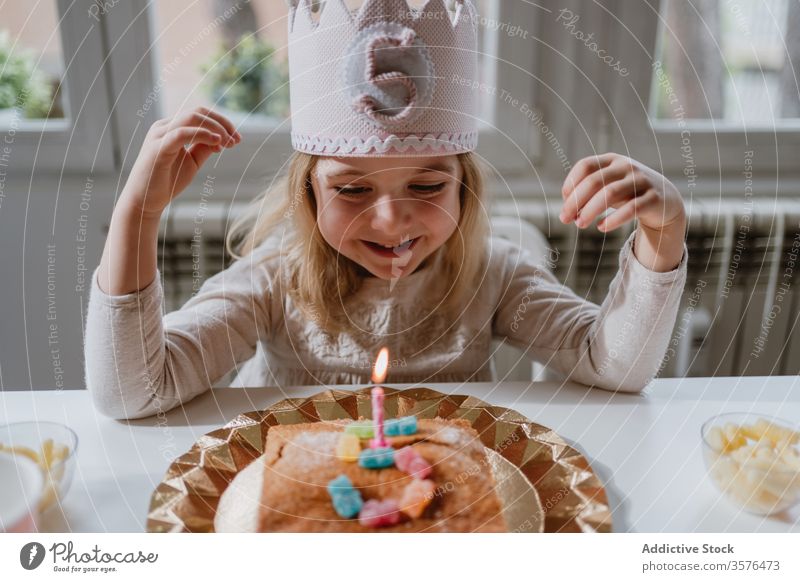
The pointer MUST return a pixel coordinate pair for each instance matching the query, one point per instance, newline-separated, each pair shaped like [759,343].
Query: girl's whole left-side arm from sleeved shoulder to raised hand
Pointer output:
[138,363]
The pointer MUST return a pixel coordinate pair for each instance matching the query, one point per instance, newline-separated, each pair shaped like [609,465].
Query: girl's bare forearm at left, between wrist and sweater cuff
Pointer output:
[129,257]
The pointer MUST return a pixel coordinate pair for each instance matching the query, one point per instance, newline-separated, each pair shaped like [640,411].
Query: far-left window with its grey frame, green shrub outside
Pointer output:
[53,99]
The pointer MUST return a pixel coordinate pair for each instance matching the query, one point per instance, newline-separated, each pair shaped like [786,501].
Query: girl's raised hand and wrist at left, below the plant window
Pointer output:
[172,153]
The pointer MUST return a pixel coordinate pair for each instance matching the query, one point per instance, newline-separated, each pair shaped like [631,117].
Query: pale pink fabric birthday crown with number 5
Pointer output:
[383,81]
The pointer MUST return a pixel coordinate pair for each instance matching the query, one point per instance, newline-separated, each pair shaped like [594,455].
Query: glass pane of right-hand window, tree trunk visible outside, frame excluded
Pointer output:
[746,75]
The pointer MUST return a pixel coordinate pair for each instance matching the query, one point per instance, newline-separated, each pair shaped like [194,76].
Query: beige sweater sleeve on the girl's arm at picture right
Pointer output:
[618,345]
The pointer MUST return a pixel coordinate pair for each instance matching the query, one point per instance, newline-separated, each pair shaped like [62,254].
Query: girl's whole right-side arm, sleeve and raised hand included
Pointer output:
[620,344]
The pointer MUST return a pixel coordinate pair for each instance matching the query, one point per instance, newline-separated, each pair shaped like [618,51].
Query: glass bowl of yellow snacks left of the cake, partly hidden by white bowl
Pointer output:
[37,440]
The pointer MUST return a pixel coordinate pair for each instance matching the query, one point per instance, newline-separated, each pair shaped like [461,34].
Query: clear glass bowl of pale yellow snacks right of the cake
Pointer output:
[763,482]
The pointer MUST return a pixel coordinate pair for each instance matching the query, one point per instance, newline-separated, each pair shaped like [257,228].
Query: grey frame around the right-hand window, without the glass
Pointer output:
[718,149]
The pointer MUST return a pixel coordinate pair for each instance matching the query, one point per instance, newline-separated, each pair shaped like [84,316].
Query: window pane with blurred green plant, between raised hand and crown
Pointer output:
[231,56]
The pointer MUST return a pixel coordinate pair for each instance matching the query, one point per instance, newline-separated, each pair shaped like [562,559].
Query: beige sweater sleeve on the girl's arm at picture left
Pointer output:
[139,363]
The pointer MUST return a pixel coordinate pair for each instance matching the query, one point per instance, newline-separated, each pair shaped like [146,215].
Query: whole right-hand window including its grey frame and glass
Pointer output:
[711,91]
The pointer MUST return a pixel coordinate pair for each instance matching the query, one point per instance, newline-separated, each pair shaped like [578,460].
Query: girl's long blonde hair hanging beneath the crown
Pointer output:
[317,272]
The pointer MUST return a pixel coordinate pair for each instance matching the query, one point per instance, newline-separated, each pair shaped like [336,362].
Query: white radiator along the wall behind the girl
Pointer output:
[740,308]
